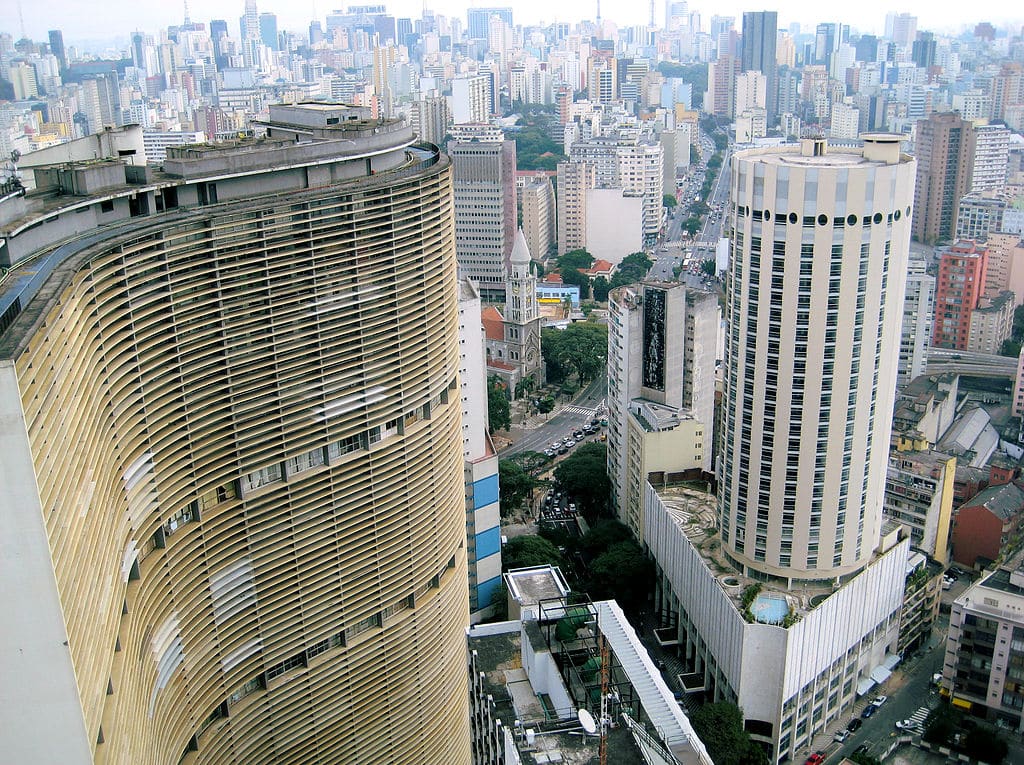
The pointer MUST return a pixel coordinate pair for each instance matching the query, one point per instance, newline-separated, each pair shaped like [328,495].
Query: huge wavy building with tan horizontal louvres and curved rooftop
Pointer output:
[236,521]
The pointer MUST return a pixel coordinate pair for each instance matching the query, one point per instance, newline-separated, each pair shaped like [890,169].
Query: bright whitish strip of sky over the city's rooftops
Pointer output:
[81,25]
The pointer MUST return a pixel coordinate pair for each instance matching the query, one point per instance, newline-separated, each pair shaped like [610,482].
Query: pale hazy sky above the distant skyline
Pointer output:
[106,20]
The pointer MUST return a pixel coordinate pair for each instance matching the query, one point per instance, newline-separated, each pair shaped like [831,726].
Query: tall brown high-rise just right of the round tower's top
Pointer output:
[946,156]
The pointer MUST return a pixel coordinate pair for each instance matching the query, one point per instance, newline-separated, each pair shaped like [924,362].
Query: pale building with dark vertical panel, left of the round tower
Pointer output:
[662,343]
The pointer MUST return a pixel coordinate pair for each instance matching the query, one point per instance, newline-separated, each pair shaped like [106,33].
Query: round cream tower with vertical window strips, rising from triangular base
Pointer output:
[821,243]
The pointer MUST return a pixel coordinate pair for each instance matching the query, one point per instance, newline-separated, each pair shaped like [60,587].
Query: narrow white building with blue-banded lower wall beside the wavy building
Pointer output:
[484,556]
